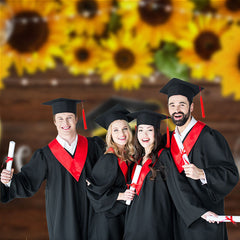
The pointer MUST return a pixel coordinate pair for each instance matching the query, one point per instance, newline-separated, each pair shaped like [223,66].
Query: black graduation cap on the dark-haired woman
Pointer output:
[148,117]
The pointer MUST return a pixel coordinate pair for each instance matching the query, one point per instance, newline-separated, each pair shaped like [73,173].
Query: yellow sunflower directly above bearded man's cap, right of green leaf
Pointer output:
[199,44]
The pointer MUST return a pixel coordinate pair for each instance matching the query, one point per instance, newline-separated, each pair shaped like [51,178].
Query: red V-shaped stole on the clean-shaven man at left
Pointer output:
[73,165]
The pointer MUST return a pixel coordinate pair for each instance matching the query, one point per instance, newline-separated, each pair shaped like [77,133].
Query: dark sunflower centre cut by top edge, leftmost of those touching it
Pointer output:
[87,8]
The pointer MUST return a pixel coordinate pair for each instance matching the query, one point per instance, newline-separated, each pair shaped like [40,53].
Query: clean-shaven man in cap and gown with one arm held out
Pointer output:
[64,163]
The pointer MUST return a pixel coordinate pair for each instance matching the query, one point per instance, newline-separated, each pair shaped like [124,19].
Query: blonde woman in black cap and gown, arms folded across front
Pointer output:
[107,190]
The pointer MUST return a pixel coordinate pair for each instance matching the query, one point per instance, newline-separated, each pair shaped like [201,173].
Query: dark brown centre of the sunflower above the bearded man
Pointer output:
[206,44]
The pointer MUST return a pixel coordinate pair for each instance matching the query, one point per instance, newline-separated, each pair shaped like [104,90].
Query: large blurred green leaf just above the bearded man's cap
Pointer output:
[167,63]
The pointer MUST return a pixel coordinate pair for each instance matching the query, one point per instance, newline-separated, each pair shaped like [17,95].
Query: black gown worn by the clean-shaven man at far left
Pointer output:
[67,206]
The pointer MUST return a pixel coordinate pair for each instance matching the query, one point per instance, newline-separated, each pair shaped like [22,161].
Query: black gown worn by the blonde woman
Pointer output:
[107,222]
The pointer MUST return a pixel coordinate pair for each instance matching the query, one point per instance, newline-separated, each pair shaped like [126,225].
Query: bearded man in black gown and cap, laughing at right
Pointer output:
[211,171]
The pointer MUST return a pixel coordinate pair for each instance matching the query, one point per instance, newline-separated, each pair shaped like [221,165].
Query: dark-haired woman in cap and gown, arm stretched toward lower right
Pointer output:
[160,192]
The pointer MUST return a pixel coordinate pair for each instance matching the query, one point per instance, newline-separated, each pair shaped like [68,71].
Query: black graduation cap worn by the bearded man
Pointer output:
[179,87]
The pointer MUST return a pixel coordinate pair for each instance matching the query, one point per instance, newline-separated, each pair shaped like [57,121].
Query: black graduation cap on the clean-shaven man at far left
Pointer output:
[60,105]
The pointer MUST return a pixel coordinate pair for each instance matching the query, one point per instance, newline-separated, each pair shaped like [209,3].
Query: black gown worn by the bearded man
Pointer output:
[212,154]
